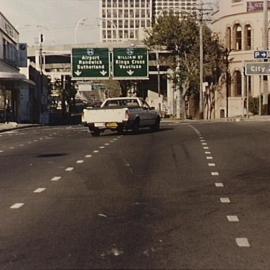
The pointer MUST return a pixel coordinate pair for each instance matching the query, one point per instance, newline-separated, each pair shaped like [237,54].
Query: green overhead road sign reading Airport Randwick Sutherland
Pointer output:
[90,63]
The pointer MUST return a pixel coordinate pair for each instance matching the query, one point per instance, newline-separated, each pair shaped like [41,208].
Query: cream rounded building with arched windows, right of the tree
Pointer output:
[239,25]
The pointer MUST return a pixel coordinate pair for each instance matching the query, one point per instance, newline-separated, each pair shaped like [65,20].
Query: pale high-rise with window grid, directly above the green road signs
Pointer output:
[123,20]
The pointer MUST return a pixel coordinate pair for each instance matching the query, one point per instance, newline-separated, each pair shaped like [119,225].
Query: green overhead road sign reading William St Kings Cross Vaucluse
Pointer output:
[130,64]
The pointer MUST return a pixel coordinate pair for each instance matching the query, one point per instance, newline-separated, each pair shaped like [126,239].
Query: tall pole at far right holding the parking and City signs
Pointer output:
[265,47]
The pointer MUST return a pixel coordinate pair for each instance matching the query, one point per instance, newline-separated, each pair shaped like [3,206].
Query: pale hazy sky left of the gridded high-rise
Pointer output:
[60,21]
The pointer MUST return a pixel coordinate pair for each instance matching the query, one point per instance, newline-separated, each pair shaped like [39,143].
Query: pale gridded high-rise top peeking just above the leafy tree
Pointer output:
[175,6]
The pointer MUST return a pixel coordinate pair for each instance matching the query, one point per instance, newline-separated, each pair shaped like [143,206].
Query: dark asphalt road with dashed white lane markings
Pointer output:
[191,196]
